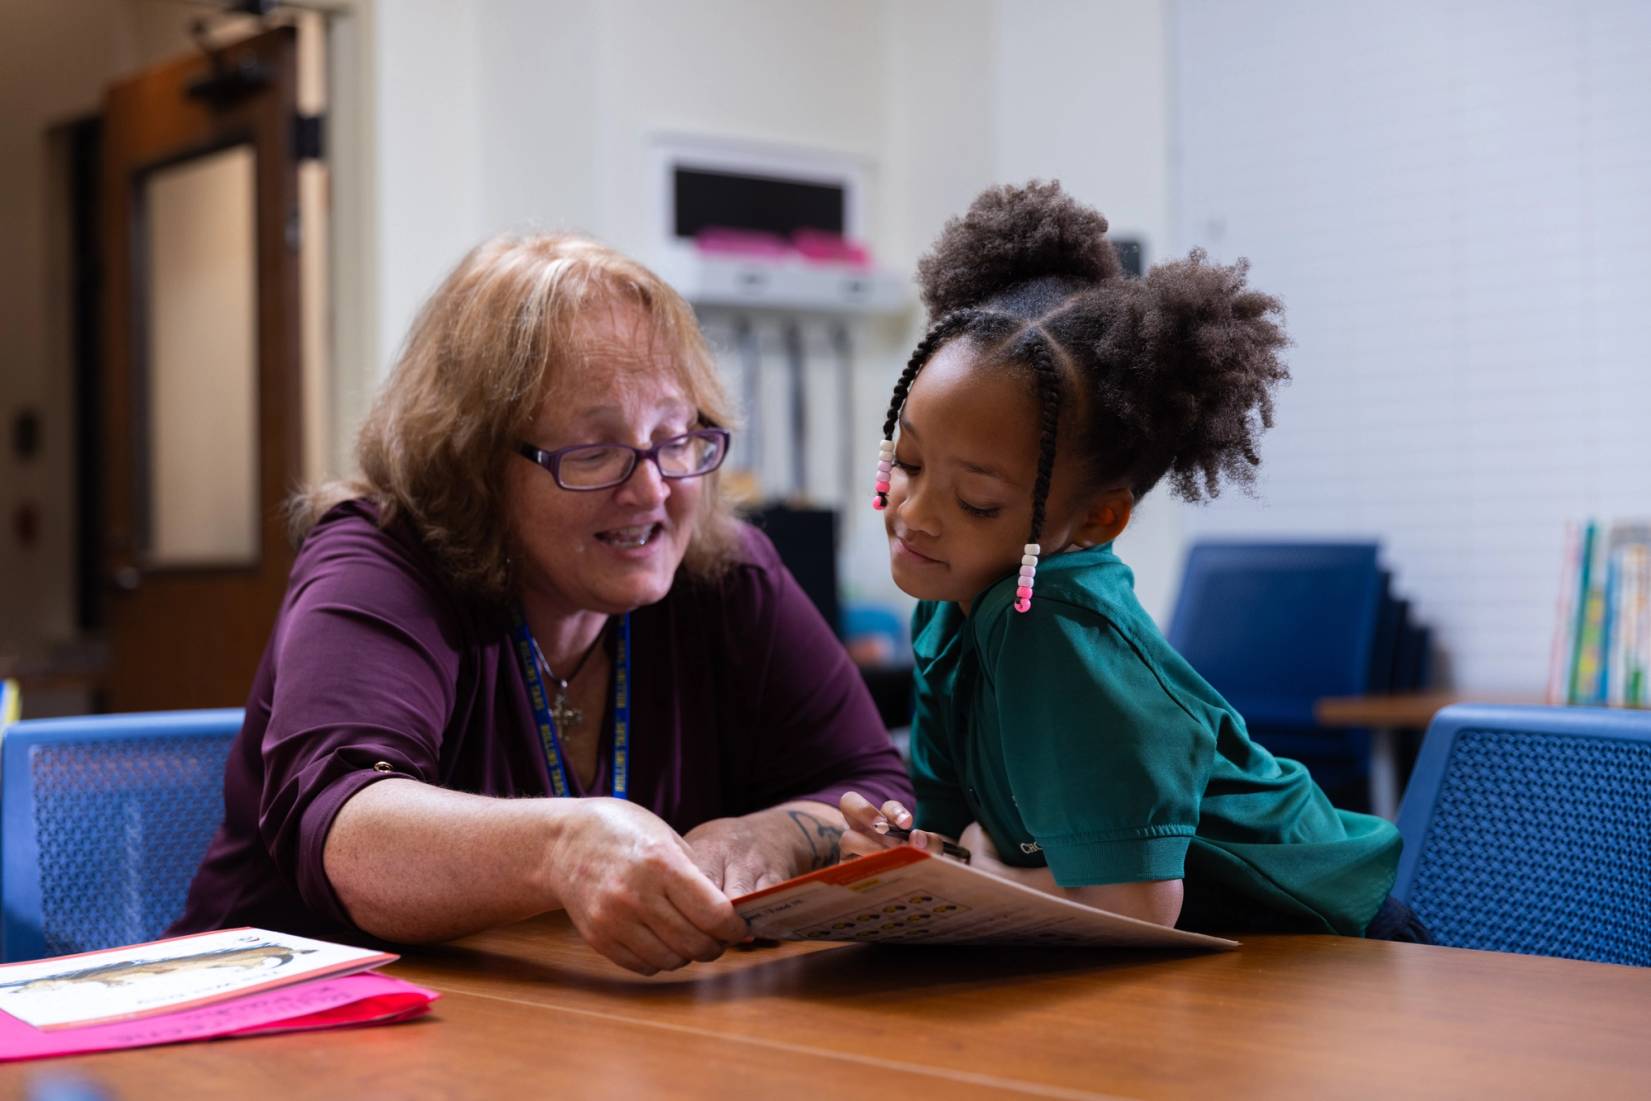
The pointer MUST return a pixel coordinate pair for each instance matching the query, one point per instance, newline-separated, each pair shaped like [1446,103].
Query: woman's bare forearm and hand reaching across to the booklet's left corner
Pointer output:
[412,862]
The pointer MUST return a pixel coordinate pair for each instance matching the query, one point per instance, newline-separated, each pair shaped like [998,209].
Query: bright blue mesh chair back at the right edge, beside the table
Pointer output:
[1528,829]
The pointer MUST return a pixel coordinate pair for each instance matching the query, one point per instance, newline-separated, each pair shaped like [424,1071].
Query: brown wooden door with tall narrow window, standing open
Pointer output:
[202,394]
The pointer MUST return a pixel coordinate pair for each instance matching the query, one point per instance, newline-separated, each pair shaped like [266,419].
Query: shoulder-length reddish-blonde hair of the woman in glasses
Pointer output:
[483,354]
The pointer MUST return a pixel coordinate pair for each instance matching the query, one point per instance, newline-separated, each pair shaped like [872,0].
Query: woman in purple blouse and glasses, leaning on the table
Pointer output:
[539,590]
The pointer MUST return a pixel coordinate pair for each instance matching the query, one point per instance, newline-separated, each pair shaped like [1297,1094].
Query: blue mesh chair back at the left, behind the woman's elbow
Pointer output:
[103,823]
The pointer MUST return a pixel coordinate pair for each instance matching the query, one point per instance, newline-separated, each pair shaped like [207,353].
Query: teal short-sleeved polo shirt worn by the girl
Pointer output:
[1079,739]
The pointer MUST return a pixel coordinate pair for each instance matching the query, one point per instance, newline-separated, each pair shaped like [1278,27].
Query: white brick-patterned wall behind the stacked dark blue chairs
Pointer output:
[1452,199]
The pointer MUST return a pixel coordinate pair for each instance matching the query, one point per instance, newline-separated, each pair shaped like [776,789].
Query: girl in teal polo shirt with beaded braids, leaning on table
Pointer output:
[1057,735]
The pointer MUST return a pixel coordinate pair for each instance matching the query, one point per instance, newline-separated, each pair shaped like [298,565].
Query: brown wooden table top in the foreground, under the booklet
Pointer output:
[531,1011]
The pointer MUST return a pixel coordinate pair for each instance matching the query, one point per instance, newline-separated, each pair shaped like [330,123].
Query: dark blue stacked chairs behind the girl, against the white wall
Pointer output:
[1279,626]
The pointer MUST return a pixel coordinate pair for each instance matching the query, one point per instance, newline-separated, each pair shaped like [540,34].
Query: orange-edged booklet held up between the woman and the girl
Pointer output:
[909,895]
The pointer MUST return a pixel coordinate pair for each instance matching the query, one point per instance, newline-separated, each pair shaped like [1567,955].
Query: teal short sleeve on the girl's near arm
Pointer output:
[1107,767]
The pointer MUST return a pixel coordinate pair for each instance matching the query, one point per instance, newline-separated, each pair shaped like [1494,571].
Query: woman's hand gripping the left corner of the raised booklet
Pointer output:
[633,891]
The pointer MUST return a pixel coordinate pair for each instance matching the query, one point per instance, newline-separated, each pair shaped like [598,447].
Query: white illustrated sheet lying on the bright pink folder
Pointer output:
[169,976]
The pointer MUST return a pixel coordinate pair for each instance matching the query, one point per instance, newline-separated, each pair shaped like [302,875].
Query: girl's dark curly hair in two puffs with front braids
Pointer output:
[1165,376]
